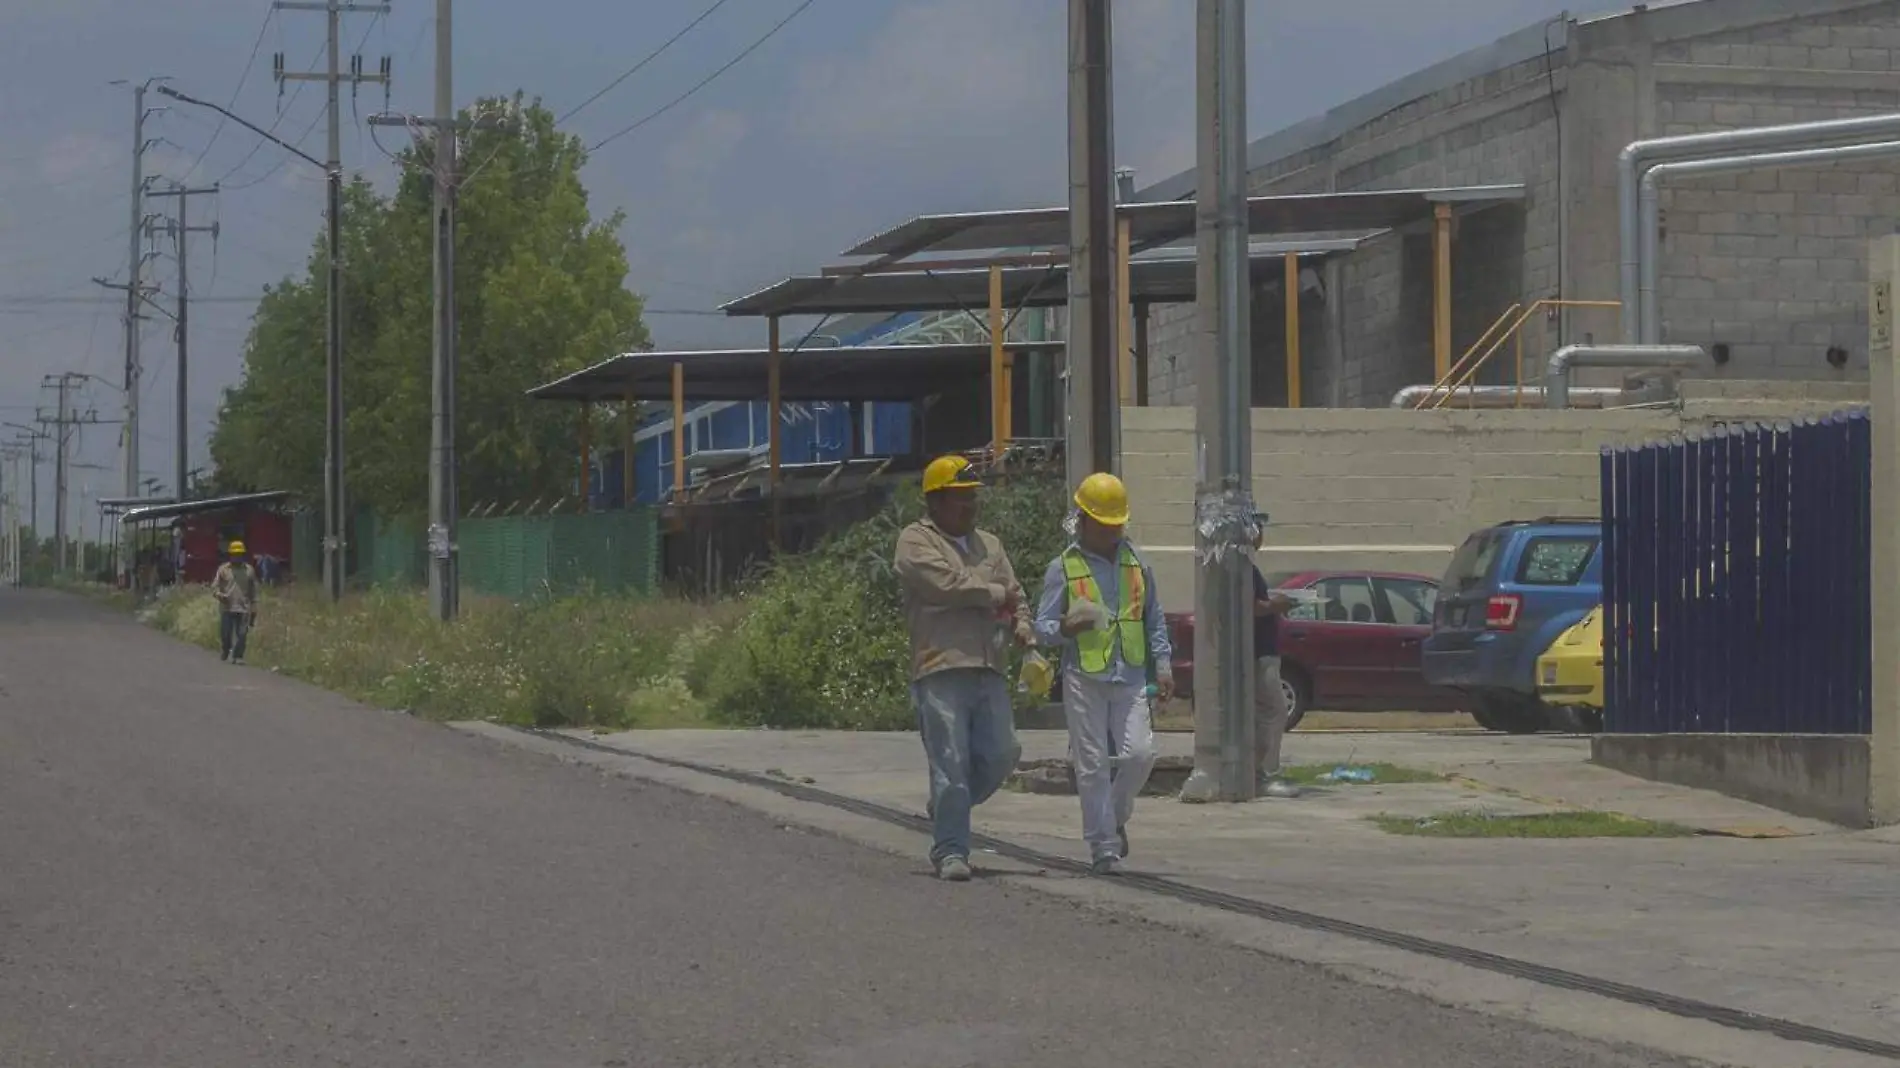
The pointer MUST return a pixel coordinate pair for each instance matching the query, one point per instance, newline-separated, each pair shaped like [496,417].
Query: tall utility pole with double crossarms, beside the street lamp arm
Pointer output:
[335,524]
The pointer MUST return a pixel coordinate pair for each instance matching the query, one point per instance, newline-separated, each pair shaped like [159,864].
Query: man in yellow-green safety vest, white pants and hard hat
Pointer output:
[1101,609]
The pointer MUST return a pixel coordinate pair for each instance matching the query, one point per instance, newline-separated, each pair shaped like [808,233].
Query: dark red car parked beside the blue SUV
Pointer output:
[1354,653]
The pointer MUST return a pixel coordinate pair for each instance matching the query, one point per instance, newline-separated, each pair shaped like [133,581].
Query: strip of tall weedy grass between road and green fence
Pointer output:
[588,660]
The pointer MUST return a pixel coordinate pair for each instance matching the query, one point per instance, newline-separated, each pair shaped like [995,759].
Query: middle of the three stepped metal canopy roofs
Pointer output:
[1152,280]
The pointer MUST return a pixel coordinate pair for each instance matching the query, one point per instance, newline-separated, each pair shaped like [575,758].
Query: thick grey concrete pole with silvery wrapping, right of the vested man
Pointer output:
[1225,495]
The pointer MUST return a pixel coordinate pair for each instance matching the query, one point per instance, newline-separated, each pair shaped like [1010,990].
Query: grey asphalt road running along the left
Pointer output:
[210,868]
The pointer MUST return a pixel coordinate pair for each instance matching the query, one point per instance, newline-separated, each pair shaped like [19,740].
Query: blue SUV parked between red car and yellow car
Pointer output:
[1511,590]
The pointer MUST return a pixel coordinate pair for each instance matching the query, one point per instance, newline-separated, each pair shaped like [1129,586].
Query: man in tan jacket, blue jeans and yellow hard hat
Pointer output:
[962,607]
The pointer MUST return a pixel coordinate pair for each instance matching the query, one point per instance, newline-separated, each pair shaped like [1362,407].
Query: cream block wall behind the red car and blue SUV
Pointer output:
[1378,489]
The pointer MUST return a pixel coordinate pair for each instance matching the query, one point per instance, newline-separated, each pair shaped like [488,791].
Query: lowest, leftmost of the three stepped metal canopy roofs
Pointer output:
[854,373]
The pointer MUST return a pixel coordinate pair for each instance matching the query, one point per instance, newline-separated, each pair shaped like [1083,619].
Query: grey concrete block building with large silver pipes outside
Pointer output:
[1770,265]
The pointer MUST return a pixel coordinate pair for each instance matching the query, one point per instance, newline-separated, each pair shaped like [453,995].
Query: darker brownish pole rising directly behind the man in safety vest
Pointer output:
[1093,434]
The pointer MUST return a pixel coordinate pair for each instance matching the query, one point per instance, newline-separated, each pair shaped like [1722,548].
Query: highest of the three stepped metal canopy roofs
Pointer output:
[1166,223]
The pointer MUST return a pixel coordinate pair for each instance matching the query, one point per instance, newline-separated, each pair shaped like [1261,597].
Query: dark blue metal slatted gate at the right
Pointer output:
[1736,582]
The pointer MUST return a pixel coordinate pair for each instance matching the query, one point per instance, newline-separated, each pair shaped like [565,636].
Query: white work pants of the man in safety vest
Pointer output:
[1112,746]
